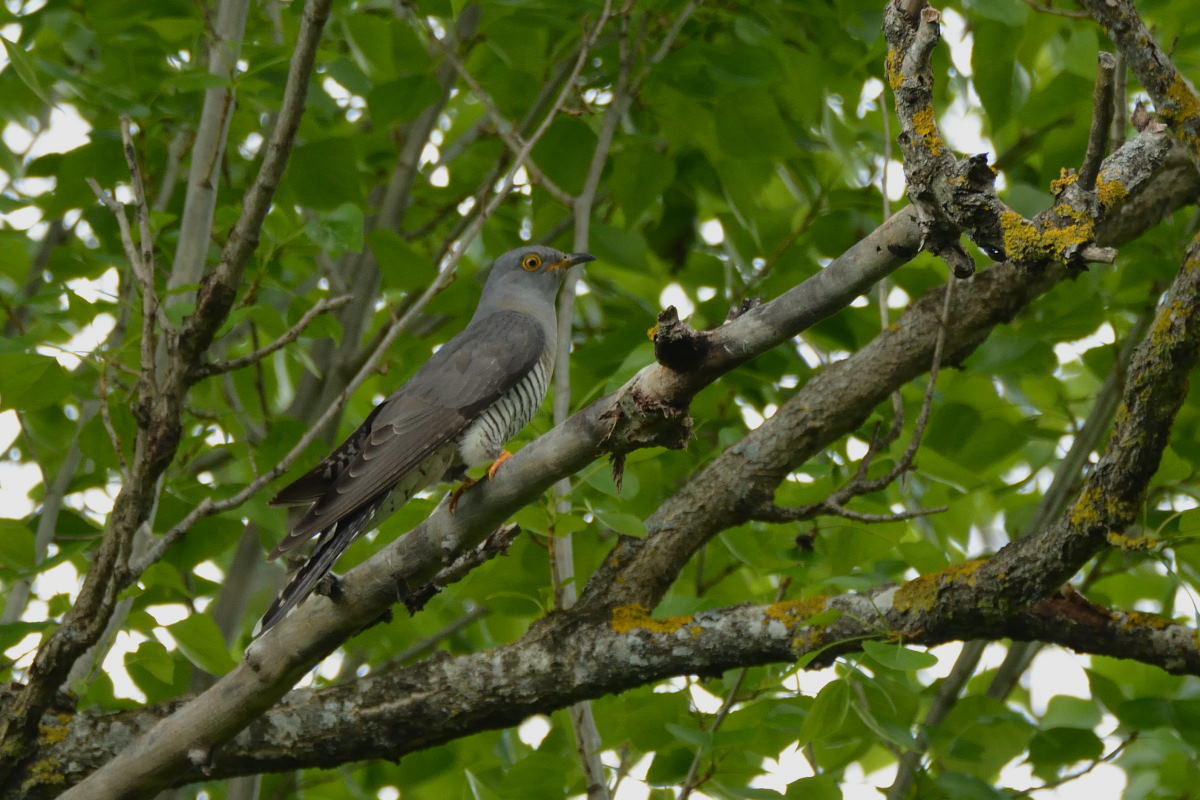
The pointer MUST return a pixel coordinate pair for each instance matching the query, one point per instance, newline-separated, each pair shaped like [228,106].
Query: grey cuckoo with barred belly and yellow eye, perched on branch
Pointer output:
[459,411]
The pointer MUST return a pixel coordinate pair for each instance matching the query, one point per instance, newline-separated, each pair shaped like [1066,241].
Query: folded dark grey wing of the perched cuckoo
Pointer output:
[463,380]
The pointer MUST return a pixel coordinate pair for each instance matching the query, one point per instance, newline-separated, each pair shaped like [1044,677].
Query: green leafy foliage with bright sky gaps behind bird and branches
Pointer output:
[753,153]
